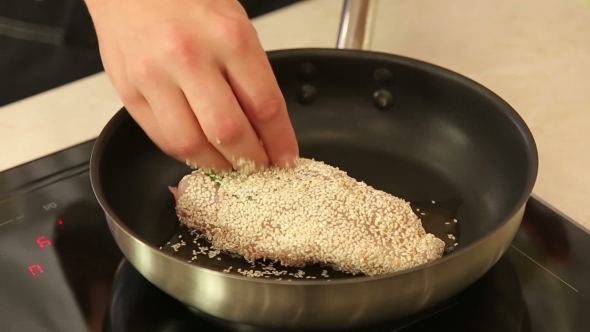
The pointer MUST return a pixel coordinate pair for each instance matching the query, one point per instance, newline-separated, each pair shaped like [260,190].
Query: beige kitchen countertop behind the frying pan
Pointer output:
[533,53]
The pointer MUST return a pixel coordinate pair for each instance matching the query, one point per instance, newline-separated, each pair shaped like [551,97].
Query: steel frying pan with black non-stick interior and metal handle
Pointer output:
[418,131]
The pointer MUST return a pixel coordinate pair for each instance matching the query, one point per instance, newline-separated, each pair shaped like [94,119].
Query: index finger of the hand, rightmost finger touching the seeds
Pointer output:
[254,84]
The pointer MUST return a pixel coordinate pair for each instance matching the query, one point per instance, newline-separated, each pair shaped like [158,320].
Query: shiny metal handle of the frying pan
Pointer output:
[356,24]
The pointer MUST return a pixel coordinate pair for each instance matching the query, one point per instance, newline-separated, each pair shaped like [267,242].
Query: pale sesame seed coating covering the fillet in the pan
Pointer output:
[310,213]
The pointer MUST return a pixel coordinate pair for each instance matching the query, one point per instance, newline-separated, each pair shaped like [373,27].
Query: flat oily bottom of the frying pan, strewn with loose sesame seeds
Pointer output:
[382,171]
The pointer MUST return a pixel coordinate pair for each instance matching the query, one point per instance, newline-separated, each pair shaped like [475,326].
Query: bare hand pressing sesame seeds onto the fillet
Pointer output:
[193,75]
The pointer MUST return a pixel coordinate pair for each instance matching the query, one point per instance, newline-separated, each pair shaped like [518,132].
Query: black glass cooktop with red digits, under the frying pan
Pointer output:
[60,270]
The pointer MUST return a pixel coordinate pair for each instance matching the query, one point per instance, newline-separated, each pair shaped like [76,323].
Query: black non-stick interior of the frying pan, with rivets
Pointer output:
[440,139]
